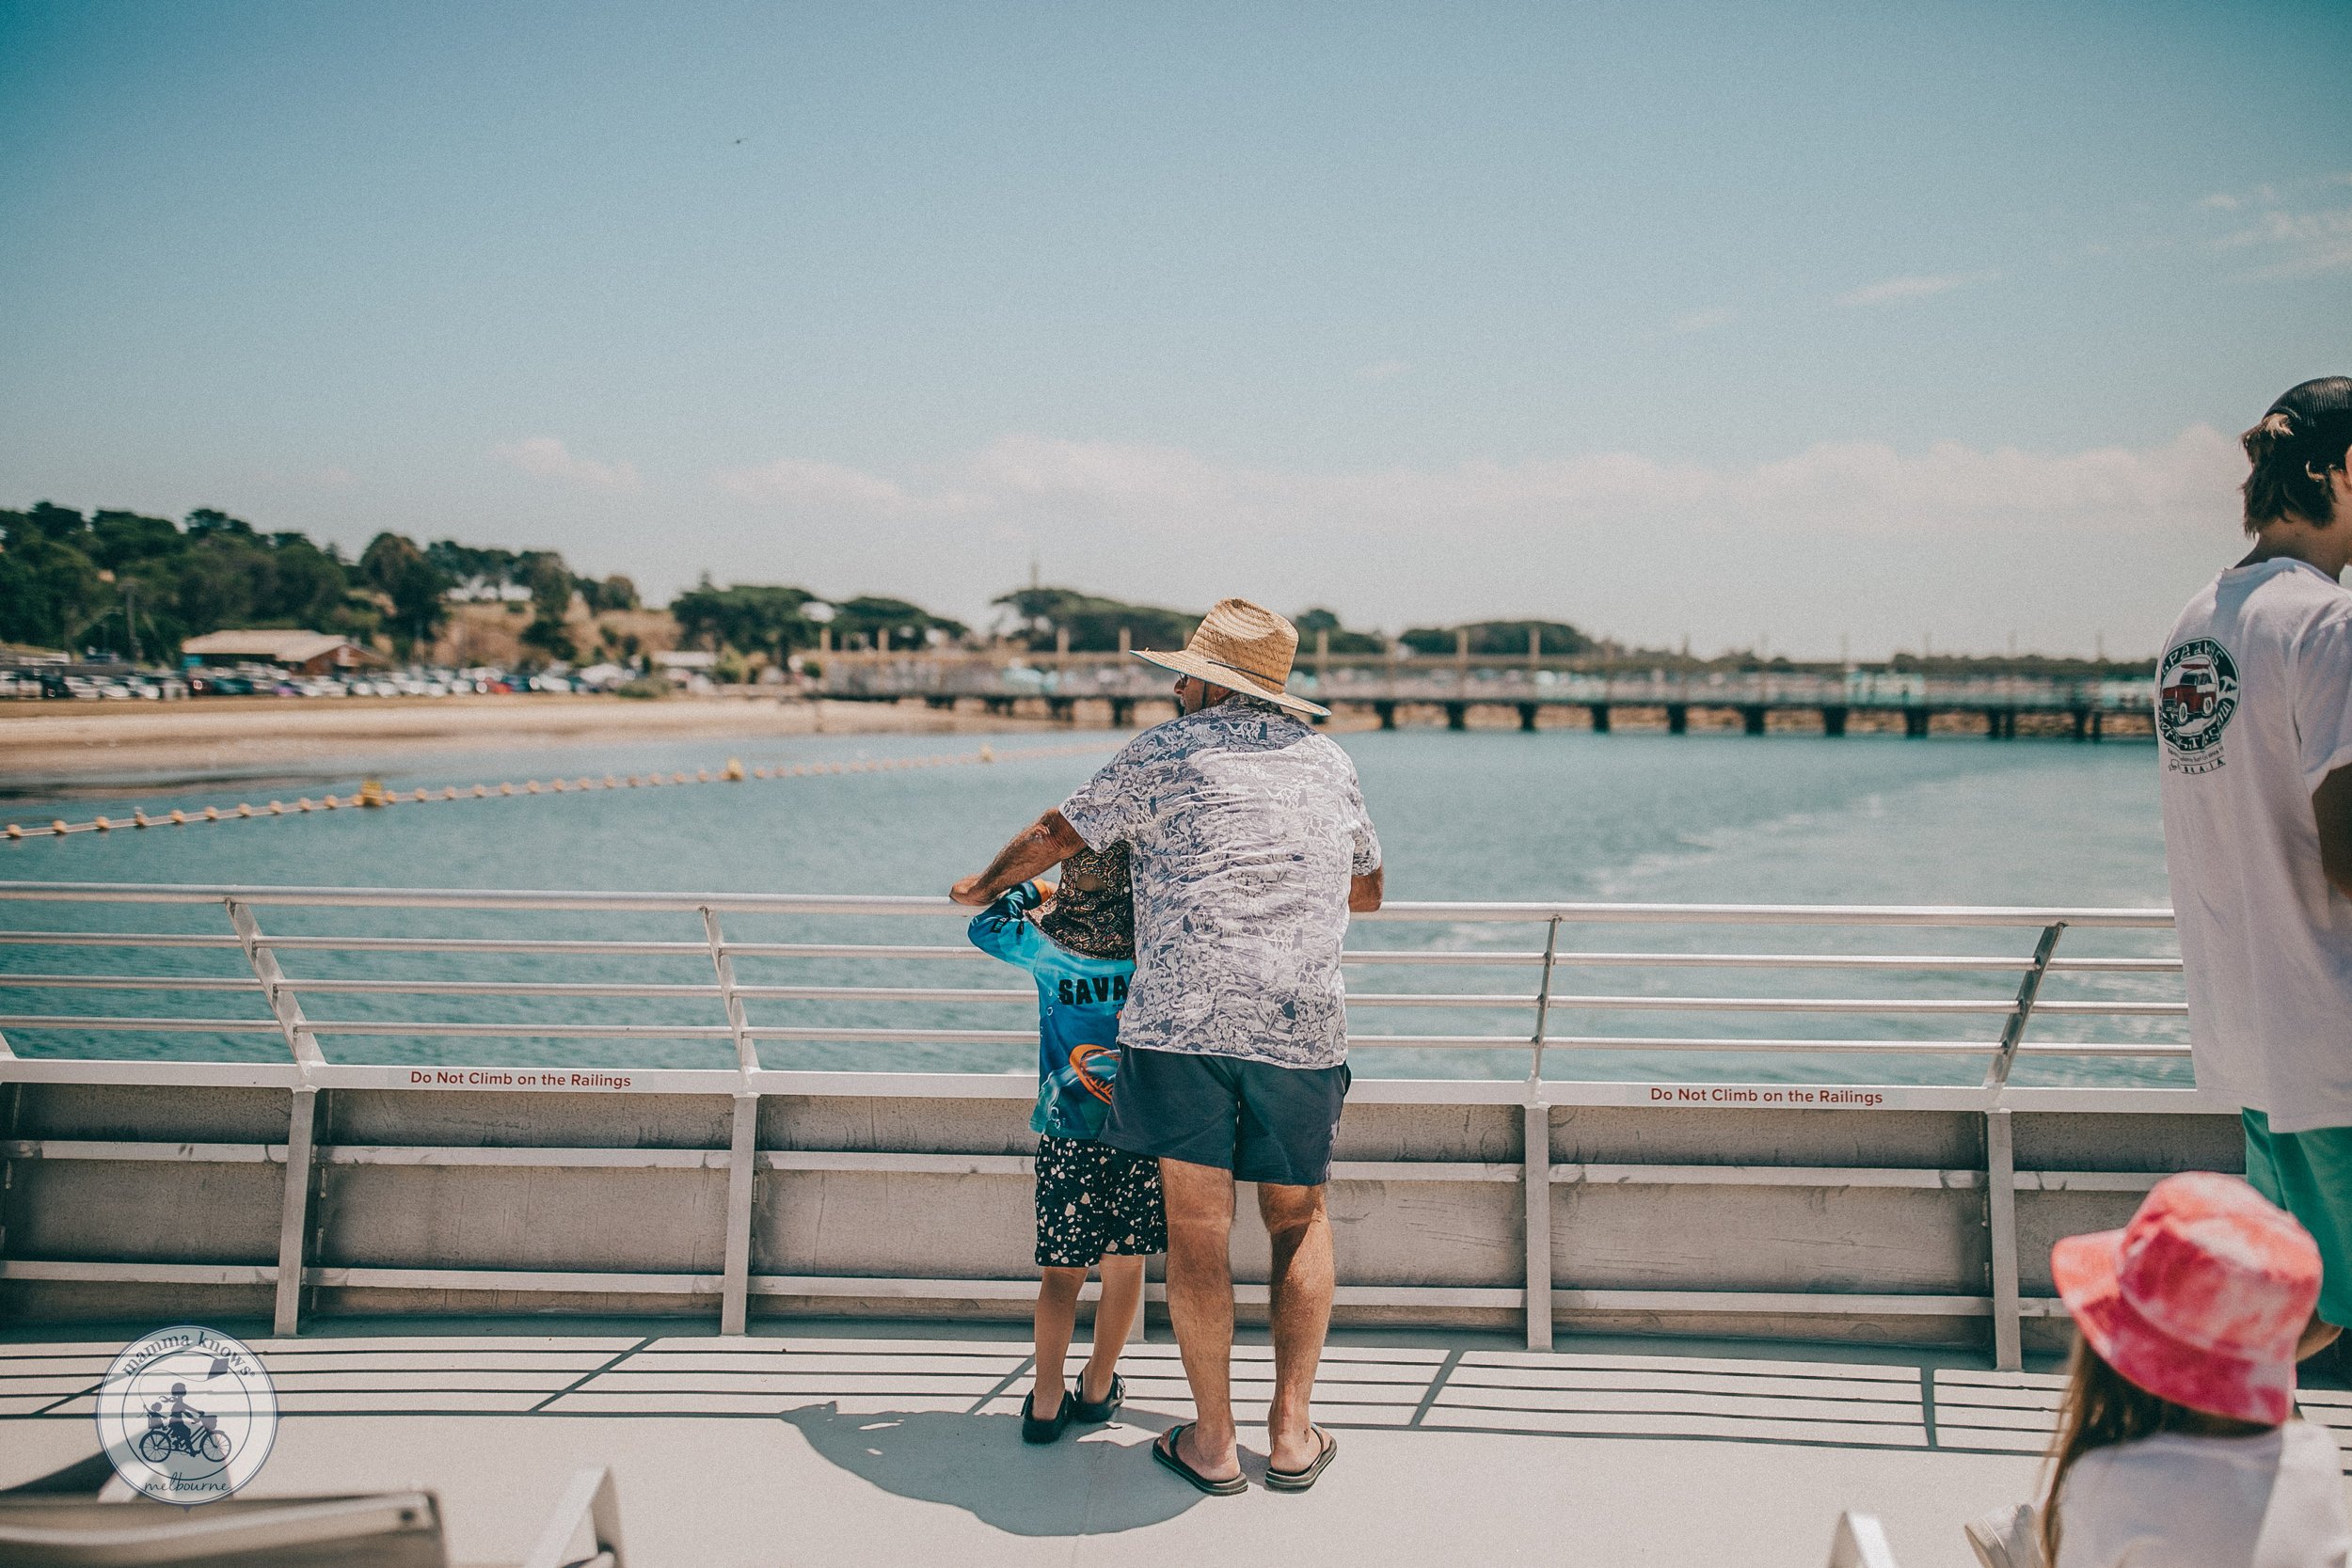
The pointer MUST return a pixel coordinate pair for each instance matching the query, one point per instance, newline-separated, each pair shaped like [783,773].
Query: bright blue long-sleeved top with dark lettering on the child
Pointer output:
[1078,1014]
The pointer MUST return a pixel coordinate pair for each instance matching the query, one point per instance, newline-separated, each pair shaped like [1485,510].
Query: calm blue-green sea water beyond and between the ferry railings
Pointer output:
[1474,817]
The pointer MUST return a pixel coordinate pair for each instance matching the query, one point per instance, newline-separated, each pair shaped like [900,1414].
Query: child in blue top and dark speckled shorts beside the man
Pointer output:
[1095,1205]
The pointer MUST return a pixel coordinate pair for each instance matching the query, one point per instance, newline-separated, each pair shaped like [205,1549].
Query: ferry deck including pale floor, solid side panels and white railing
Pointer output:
[1579,1322]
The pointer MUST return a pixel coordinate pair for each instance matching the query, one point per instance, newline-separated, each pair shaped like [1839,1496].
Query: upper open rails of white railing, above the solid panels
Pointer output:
[1553,1014]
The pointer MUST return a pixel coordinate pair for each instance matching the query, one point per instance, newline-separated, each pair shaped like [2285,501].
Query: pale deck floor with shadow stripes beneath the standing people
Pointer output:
[904,1447]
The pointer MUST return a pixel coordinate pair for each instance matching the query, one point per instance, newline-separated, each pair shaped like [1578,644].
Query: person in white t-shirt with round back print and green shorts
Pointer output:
[2254,709]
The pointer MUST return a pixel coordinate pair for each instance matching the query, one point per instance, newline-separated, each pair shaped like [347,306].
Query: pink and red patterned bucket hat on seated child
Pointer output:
[2200,1299]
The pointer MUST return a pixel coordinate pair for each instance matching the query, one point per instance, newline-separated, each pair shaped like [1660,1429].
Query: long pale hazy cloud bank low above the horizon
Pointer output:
[1840,537]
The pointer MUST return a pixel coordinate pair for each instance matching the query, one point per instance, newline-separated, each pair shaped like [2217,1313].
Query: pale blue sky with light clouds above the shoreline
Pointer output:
[1678,321]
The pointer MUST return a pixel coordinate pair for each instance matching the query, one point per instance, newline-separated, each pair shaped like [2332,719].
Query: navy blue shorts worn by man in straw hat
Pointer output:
[1257,1120]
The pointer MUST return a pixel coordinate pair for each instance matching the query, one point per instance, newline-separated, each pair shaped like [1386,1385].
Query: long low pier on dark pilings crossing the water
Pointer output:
[1539,697]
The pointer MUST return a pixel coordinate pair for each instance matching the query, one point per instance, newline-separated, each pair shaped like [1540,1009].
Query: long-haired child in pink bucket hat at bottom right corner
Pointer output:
[2177,1442]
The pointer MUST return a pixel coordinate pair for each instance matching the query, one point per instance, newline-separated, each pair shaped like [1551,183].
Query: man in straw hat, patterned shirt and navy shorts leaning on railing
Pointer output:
[1250,847]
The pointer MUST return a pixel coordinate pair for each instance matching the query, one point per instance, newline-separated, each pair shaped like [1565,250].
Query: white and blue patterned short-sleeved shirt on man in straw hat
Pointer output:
[1243,829]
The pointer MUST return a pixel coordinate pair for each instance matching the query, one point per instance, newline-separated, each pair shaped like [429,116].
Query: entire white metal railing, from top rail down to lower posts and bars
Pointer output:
[232,956]
